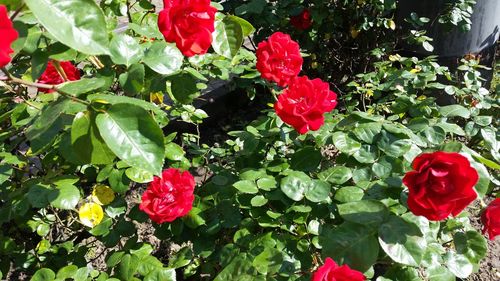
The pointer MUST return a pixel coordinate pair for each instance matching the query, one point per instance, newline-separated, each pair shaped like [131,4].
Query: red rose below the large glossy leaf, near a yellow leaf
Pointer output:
[168,197]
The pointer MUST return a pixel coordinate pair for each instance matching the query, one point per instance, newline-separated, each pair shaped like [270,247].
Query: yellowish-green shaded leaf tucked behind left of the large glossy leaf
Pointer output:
[86,141]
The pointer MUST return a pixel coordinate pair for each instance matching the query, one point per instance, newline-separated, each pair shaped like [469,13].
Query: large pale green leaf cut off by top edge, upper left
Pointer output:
[80,24]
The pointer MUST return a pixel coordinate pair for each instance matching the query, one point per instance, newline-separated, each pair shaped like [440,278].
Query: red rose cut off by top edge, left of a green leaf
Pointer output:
[188,23]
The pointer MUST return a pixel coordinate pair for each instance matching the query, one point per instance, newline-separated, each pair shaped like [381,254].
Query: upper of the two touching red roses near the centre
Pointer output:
[279,59]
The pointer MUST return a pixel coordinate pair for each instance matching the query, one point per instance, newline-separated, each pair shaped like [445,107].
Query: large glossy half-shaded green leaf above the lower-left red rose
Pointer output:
[133,135]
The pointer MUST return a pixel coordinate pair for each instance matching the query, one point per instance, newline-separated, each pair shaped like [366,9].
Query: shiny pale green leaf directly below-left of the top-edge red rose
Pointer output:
[163,58]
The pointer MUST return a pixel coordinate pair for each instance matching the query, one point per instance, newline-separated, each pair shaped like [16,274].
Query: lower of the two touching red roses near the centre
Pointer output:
[304,102]
